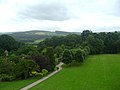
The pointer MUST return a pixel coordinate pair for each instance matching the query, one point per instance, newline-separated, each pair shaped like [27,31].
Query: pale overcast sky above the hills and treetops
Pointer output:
[60,15]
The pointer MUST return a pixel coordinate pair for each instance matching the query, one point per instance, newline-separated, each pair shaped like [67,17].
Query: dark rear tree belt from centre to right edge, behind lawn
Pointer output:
[98,43]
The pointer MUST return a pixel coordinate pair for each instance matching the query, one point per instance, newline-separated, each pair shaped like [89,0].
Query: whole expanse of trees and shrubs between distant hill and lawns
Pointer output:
[20,61]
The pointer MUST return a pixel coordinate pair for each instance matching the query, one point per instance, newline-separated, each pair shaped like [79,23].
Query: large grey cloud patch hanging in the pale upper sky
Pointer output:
[48,11]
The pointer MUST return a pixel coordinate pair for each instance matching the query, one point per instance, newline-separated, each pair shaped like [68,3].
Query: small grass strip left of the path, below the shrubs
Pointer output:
[16,85]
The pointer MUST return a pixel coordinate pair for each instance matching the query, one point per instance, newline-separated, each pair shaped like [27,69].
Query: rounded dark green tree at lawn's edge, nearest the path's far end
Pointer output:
[67,57]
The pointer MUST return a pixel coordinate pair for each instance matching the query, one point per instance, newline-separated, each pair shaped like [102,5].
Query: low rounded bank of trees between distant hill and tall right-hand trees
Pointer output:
[69,41]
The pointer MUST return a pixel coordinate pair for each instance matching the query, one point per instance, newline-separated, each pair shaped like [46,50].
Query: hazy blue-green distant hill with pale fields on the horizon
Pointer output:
[37,35]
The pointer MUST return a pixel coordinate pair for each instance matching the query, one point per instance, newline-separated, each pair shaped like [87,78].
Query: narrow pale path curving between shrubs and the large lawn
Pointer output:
[44,78]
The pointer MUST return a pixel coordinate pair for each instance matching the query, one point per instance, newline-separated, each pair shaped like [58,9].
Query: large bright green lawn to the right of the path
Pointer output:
[99,72]
